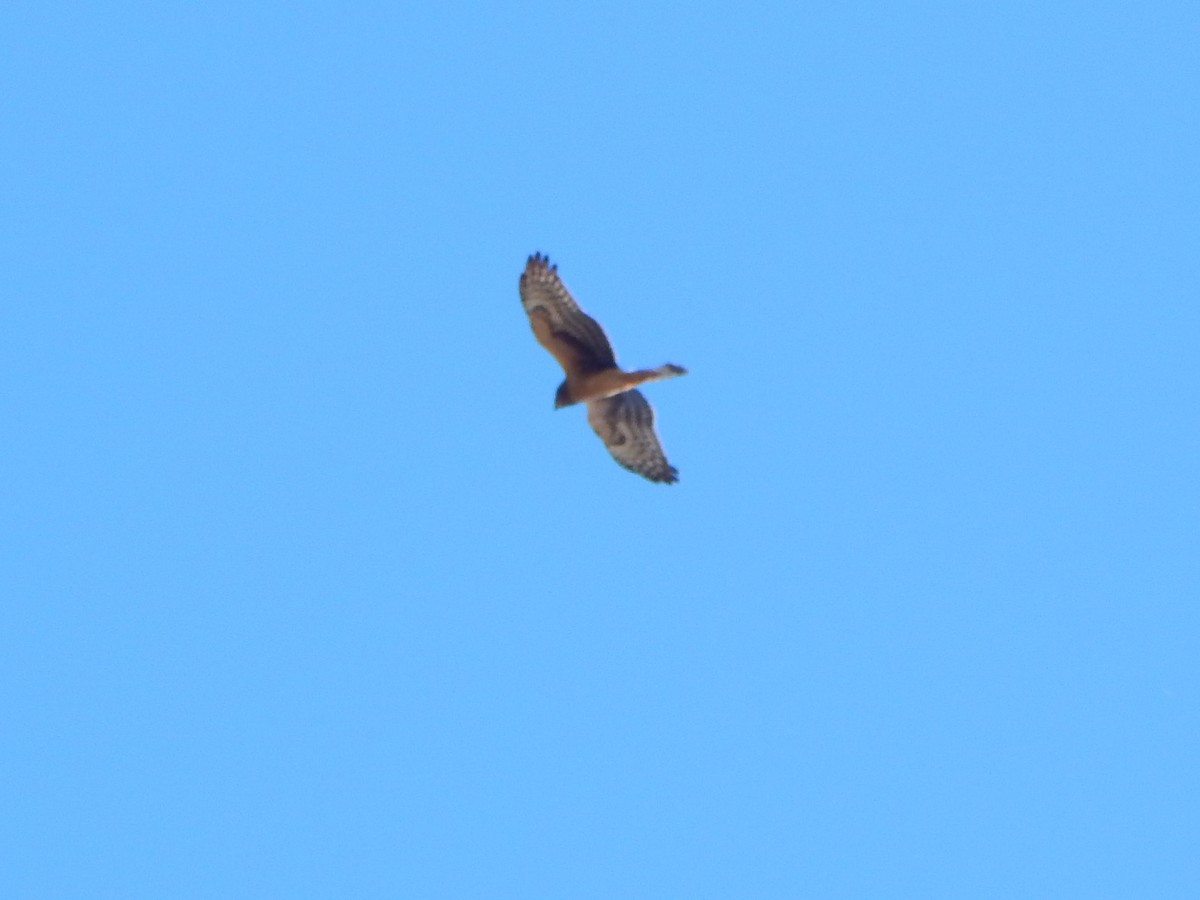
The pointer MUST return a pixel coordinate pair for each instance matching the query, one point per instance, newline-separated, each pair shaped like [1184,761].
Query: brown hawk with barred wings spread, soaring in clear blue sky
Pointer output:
[620,415]
